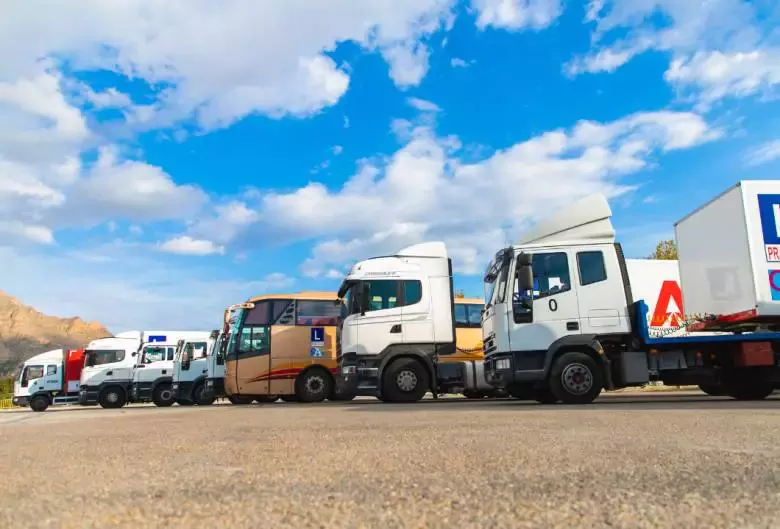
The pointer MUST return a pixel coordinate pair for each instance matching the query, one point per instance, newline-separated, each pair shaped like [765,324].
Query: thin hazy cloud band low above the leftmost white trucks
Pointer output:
[127,289]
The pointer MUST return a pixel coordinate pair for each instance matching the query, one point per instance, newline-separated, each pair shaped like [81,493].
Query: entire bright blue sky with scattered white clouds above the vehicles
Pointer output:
[160,160]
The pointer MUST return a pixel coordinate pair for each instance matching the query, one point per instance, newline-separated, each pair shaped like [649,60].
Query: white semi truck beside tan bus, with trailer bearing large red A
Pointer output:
[374,336]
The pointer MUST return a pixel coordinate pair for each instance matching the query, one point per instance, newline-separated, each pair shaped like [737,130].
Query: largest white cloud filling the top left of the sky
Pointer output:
[216,60]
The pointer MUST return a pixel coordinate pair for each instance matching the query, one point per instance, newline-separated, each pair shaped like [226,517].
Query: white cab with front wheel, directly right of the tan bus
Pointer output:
[399,319]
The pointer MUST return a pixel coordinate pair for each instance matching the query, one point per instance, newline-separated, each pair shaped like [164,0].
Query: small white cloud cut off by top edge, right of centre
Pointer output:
[517,14]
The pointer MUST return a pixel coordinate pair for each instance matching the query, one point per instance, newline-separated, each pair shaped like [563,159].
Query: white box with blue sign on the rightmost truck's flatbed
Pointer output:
[729,254]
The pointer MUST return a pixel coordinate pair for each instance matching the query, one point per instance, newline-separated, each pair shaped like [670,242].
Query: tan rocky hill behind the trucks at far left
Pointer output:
[25,332]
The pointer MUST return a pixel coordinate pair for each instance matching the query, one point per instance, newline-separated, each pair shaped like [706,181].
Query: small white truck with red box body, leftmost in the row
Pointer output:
[48,379]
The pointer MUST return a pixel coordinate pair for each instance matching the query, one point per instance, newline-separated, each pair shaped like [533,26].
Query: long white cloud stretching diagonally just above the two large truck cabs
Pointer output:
[416,193]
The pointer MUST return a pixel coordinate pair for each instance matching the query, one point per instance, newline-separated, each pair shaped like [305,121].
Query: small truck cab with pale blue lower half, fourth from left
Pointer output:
[190,370]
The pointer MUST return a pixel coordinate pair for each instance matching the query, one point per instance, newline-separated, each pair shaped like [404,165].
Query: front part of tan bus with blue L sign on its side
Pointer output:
[283,346]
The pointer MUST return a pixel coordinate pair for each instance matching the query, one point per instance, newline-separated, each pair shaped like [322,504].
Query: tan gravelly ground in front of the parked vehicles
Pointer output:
[626,461]
